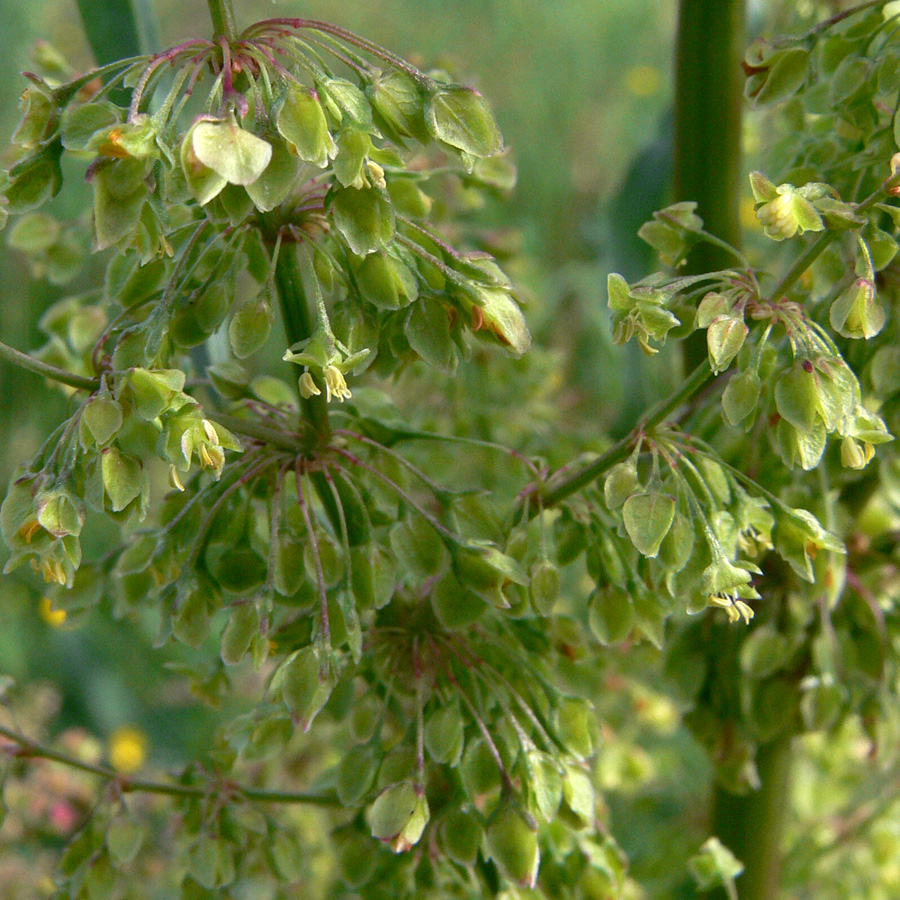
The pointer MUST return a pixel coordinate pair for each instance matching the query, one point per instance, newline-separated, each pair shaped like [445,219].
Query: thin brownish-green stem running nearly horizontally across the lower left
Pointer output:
[29,749]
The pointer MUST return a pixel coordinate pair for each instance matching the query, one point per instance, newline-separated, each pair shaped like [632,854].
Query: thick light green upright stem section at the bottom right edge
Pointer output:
[751,825]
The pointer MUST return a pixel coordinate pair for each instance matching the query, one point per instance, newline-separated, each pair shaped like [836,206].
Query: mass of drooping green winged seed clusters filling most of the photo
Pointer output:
[428,612]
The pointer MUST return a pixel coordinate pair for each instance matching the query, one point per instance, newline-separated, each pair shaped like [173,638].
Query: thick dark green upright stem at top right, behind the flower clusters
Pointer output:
[709,99]
